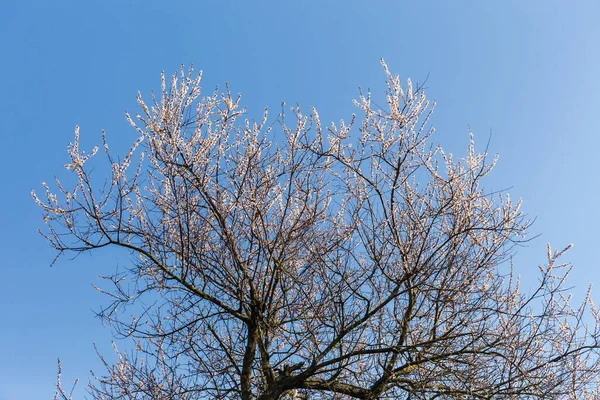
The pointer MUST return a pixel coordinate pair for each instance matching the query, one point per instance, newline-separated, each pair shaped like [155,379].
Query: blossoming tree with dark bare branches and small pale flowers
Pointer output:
[292,260]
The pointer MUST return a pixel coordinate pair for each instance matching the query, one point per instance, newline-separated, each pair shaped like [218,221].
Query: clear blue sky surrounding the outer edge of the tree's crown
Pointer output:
[526,72]
